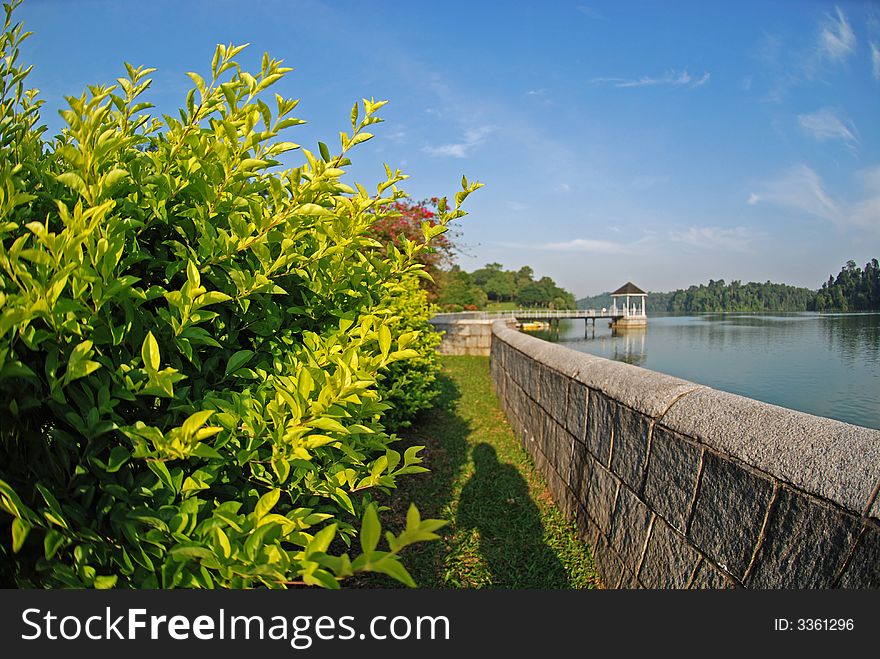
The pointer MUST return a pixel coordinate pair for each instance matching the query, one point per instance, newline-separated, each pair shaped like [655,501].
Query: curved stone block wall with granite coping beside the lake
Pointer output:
[676,485]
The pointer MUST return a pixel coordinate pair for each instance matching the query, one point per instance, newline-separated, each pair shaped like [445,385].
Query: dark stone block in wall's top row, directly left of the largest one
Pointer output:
[729,512]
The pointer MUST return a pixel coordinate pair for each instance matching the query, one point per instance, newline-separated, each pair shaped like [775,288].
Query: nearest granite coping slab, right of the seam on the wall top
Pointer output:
[834,460]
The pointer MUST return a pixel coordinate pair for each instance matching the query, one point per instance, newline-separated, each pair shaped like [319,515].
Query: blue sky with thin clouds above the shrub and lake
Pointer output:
[663,143]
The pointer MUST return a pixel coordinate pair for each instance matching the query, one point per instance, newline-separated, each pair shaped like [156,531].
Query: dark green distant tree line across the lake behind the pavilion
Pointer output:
[854,289]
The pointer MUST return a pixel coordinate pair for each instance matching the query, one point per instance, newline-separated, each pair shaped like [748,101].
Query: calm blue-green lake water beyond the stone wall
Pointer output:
[827,364]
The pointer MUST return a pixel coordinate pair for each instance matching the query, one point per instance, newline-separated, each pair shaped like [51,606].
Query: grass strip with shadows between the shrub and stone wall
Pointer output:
[504,531]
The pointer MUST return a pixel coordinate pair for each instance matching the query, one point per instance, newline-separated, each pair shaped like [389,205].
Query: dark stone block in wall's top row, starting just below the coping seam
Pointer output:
[672,476]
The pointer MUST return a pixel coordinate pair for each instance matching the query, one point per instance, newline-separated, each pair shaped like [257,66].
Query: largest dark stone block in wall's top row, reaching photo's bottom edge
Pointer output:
[805,544]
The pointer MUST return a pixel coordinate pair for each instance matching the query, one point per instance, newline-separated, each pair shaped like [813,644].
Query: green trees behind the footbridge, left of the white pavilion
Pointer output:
[462,290]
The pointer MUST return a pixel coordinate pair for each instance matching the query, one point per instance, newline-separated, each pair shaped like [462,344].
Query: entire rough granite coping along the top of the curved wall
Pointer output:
[829,459]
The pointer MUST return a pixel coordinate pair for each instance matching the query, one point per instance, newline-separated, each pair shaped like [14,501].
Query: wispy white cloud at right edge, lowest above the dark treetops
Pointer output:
[802,189]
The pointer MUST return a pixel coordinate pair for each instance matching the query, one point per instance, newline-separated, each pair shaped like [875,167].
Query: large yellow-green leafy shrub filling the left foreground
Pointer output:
[191,339]
